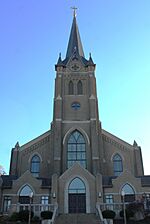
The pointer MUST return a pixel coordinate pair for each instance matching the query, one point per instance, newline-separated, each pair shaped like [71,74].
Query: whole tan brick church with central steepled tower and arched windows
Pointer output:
[76,165]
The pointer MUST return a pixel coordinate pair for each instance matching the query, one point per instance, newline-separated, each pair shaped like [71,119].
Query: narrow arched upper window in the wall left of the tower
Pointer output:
[35,165]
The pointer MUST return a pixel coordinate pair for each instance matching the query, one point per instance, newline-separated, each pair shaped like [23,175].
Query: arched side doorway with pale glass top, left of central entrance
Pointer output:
[24,195]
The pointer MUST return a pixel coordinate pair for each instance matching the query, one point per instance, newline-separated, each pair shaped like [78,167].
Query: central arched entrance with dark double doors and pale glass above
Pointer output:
[77,196]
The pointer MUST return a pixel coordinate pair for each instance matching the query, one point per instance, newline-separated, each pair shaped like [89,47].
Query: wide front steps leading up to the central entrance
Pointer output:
[78,218]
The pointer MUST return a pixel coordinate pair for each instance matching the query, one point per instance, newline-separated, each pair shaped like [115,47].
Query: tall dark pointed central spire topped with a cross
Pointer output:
[74,39]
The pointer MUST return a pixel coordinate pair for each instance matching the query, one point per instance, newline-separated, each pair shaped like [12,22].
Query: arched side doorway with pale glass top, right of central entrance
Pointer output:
[129,193]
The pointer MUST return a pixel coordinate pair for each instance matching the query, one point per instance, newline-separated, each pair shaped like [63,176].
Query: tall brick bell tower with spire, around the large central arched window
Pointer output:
[76,104]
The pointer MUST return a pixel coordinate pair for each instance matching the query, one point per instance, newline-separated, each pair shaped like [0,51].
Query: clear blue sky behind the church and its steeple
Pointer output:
[32,33]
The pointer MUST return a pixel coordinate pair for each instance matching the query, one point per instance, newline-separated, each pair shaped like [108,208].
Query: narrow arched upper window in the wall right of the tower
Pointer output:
[117,165]
